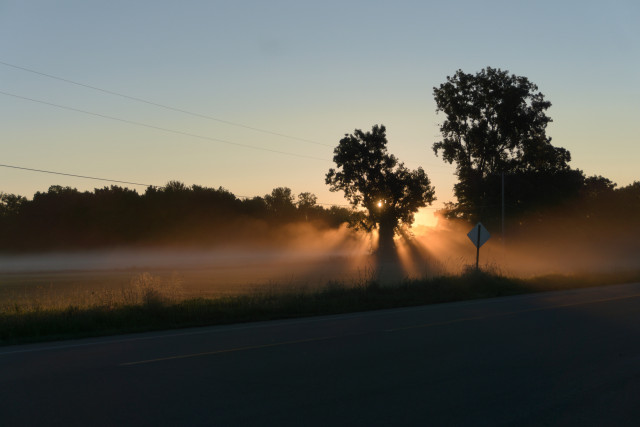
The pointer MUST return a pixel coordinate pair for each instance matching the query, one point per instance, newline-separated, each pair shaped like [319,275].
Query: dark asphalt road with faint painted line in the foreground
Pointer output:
[564,358]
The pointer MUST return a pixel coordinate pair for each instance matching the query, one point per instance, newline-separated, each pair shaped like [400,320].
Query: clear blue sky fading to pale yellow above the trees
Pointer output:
[259,93]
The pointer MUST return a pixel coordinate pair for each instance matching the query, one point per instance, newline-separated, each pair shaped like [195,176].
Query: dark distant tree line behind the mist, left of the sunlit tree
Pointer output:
[64,218]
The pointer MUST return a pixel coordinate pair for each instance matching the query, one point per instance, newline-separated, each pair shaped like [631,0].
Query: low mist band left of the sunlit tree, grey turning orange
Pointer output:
[294,254]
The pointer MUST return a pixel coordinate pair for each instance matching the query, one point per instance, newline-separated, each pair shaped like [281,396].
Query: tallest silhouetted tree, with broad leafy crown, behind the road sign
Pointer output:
[495,123]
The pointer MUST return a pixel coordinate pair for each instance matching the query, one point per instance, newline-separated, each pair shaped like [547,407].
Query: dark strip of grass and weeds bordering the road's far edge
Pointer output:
[152,310]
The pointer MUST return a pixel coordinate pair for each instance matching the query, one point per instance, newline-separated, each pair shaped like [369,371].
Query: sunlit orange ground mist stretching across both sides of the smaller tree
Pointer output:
[305,254]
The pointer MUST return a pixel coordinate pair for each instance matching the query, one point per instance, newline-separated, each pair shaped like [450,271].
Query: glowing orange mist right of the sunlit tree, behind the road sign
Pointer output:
[534,249]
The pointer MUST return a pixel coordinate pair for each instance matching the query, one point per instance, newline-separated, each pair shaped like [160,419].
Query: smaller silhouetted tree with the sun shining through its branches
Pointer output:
[375,180]
